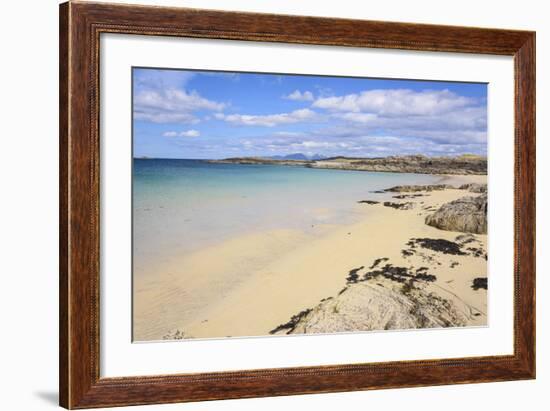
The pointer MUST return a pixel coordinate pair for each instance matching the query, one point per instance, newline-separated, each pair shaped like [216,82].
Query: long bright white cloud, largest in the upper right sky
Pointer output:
[396,102]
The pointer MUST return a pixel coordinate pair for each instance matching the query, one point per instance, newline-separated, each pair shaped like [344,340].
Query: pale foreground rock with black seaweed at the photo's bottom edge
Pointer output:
[387,296]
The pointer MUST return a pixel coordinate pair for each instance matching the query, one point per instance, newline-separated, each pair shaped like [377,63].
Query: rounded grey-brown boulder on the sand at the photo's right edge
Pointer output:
[467,215]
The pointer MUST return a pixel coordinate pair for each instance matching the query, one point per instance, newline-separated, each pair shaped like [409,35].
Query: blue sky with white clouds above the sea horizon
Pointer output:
[201,114]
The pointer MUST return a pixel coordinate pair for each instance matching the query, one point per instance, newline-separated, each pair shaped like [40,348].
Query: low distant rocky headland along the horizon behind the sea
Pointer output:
[465,164]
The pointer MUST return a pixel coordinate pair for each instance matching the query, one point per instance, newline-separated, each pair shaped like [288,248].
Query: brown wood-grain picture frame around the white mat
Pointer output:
[80,27]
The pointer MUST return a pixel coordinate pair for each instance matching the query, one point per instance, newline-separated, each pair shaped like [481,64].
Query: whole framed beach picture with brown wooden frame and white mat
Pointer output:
[258,205]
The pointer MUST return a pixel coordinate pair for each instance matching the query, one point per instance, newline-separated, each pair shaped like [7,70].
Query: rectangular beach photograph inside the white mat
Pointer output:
[268,205]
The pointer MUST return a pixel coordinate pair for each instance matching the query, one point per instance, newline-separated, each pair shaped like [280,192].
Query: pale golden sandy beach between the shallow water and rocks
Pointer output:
[251,284]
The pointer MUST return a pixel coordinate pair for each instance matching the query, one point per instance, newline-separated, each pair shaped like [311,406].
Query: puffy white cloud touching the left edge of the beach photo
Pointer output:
[171,106]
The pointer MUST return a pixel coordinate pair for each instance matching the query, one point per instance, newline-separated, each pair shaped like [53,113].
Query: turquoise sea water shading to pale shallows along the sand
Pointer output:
[182,205]
